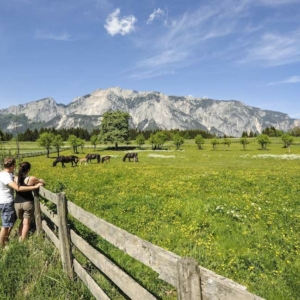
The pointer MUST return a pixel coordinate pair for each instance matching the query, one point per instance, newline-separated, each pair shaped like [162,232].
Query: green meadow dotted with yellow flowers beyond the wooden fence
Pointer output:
[235,211]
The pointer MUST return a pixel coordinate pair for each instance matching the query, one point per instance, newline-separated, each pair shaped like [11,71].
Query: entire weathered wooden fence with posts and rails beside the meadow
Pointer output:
[191,281]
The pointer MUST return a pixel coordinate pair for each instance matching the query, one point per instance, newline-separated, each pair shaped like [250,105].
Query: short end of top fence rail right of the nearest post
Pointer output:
[216,287]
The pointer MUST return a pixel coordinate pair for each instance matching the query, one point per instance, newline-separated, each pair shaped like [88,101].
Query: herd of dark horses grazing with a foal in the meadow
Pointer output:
[74,160]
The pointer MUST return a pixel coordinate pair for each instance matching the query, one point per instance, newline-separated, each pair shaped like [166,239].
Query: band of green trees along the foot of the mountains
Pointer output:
[114,128]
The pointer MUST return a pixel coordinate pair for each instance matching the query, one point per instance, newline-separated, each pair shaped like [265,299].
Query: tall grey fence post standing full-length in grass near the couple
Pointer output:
[64,236]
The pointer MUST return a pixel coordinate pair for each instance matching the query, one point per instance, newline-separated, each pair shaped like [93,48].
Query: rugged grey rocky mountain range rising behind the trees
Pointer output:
[148,110]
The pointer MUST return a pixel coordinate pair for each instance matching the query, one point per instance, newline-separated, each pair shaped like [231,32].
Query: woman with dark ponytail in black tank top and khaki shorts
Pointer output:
[24,201]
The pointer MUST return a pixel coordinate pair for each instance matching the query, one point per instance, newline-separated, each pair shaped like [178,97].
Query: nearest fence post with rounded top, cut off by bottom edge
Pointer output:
[188,279]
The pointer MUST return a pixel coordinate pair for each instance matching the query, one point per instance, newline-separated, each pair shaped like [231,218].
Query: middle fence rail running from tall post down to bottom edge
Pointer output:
[130,287]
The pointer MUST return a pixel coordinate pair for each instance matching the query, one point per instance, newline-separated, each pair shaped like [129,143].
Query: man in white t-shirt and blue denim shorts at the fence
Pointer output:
[7,185]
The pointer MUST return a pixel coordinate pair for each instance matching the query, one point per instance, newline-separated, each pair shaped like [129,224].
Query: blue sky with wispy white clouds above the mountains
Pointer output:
[246,50]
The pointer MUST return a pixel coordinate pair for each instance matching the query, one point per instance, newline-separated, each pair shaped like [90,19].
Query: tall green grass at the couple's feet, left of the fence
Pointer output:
[32,270]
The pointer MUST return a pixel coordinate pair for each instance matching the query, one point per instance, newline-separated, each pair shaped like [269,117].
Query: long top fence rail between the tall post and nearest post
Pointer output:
[159,259]
